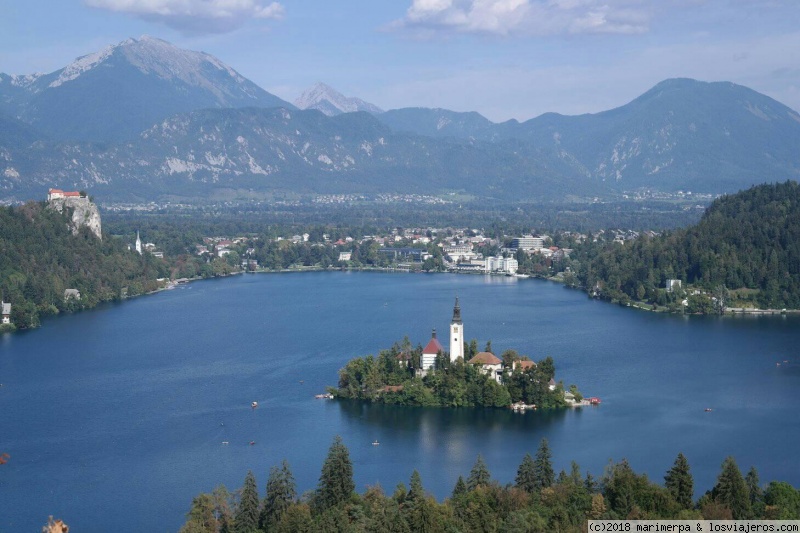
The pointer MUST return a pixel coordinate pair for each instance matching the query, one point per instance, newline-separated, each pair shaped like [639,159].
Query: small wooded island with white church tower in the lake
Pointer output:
[460,377]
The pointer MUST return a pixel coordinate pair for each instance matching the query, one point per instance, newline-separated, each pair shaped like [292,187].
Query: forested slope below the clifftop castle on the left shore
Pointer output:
[40,259]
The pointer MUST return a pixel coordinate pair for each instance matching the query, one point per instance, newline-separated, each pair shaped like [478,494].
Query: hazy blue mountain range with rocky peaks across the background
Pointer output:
[144,120]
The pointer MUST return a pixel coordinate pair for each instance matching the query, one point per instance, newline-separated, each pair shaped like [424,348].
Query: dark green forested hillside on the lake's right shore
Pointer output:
[745,251]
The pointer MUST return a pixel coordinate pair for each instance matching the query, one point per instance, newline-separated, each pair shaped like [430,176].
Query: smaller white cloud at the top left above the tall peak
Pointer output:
[195,16]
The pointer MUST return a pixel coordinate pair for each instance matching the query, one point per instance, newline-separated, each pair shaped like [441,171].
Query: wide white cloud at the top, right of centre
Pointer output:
[527,17]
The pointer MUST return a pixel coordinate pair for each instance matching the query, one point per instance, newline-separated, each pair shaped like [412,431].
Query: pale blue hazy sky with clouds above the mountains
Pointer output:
[503,58]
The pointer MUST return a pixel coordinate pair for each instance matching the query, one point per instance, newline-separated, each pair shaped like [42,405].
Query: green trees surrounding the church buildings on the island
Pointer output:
[392,378]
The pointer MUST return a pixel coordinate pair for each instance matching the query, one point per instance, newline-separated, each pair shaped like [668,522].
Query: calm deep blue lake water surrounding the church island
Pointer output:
[117,415]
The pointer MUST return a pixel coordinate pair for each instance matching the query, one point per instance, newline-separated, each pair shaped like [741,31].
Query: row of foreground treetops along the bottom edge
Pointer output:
[537,500]
